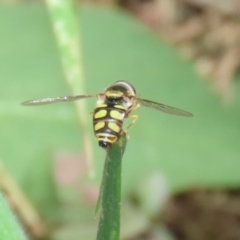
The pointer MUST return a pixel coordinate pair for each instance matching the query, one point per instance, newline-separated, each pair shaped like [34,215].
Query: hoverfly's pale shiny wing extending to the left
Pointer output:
[49,100]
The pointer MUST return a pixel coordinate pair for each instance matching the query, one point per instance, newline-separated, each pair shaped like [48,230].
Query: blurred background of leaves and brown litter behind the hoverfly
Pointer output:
[180,175]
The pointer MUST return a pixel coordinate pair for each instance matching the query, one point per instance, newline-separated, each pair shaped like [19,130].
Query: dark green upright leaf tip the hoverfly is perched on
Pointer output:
[109,223]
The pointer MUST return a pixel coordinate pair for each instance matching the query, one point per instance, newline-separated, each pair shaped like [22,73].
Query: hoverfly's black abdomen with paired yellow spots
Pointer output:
[107,123]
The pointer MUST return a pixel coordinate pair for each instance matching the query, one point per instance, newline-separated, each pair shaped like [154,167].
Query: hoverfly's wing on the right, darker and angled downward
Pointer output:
[164,108]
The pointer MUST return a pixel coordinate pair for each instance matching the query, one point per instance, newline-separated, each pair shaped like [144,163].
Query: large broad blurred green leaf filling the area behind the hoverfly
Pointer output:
[202,150]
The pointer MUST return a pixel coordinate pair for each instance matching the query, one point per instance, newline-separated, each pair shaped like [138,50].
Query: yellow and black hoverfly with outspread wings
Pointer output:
[114,105]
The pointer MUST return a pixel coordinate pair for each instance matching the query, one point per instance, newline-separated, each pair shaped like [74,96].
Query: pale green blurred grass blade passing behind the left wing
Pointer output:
[68,36]
